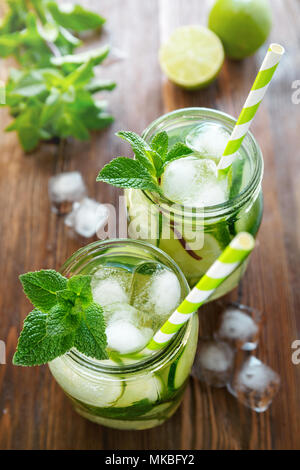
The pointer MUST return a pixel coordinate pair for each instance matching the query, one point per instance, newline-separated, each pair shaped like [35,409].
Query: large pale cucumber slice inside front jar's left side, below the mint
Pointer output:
[82,387]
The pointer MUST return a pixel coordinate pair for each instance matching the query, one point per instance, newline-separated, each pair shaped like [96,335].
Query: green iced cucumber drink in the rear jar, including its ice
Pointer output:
[197,214]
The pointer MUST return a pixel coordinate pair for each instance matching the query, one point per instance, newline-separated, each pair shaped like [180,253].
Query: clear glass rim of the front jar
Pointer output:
[153,359]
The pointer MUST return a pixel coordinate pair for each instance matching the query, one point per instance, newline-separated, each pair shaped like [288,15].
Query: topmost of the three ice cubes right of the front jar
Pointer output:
[239,325]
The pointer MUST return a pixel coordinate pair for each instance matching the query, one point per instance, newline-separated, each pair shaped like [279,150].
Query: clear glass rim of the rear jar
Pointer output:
[224,208]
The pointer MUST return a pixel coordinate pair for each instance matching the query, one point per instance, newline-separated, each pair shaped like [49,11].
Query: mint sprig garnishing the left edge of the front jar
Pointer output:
[64,316]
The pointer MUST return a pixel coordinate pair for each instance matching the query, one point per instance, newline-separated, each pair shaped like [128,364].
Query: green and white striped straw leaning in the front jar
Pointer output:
[233,255]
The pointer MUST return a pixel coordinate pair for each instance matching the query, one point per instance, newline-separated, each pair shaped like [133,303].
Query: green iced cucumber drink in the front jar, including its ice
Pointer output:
[139,287]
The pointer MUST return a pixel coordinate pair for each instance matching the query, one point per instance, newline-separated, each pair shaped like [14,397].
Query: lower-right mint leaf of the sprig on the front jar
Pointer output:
[90,337]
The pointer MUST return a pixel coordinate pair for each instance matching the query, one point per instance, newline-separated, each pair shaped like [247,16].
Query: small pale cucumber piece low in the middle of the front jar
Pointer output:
[146,388]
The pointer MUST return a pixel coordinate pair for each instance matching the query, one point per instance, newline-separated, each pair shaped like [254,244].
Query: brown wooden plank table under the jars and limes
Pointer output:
[34,413]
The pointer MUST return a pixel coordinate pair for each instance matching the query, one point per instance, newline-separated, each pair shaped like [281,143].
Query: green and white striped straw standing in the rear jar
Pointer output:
[258,90]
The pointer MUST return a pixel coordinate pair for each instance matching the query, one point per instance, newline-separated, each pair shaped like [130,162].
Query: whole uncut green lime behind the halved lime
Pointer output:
[242,25]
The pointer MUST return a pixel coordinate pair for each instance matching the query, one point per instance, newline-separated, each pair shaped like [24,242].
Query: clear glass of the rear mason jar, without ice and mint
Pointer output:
[195,237]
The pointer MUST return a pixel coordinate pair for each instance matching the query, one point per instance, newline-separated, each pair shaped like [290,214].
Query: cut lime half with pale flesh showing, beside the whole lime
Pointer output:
[192,57]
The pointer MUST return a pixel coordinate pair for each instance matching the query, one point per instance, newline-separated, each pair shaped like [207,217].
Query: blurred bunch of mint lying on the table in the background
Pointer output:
[52,95]
